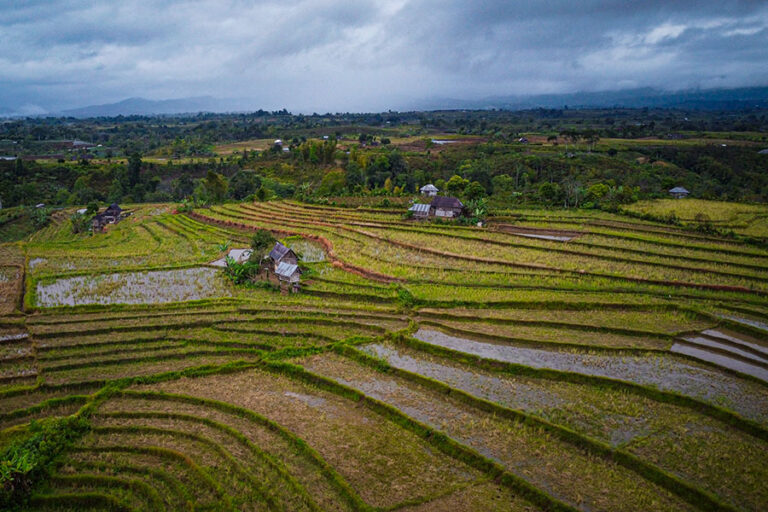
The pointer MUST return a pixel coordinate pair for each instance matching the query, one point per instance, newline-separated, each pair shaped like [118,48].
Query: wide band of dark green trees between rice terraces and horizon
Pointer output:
[357,158]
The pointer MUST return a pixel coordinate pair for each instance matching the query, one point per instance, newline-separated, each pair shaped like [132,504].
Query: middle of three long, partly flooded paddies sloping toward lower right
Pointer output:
[625,420]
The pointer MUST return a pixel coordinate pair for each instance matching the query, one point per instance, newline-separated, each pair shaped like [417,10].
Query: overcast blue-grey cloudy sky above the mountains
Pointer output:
[333,55]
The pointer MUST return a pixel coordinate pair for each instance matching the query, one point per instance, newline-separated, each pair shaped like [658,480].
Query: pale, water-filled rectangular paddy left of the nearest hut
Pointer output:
[133,288]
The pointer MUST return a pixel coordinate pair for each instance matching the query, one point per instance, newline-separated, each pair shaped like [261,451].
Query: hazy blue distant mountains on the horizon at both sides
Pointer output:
[693,99]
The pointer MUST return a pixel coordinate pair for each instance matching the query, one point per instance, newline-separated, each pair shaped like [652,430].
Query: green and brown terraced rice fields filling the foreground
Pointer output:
[552,360]
